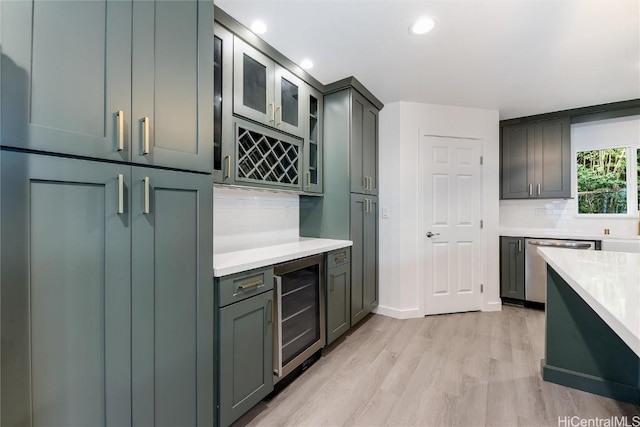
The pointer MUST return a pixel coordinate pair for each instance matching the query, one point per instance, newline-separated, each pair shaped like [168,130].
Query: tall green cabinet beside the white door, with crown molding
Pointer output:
[349,206]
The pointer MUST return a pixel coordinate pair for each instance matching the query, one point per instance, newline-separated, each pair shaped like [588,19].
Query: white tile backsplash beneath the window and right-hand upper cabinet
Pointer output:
[560,215]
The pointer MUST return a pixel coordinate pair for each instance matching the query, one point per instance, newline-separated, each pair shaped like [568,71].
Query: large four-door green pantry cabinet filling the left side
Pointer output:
[106,211]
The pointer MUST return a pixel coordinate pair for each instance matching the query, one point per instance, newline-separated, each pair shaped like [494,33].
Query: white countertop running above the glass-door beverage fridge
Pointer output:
[235,262]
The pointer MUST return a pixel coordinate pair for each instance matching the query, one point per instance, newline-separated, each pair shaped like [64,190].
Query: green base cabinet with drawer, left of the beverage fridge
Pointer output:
[245,345]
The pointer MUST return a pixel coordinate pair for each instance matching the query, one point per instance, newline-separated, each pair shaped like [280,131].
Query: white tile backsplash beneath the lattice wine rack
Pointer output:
[246,218]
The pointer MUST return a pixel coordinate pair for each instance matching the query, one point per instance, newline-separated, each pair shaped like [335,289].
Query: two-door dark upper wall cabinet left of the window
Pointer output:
[536,160]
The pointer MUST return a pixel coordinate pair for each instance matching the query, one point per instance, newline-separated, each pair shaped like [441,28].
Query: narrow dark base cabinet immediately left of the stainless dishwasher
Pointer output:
[512,267]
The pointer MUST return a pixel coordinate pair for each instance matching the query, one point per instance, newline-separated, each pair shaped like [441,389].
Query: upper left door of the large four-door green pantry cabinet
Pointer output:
[61,92]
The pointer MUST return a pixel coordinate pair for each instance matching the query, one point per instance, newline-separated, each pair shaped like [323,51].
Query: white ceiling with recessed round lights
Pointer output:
[520,57]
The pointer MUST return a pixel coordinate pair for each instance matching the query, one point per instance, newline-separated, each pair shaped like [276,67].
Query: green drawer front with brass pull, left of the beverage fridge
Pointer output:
[236,287]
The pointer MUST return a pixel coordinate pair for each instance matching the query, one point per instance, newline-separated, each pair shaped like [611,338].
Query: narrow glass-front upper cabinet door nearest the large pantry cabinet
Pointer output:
[223,137]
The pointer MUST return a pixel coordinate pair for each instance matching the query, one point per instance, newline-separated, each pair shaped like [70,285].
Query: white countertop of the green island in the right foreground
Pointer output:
[609,282]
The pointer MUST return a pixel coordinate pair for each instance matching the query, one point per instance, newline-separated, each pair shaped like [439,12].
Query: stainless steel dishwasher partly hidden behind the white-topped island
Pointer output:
[535,267]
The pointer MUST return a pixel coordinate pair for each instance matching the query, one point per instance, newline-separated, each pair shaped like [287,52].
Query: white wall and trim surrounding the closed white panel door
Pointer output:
[401,123]
